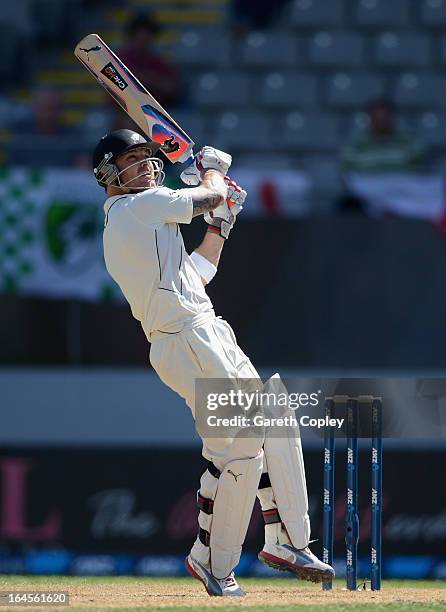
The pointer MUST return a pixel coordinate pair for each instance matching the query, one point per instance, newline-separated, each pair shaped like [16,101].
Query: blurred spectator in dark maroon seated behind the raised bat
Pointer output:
[154,71]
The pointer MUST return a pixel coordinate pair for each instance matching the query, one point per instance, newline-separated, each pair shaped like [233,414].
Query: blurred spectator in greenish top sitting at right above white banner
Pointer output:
[383,149]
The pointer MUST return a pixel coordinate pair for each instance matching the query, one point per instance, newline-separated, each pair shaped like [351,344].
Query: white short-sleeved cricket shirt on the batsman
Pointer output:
[144,253]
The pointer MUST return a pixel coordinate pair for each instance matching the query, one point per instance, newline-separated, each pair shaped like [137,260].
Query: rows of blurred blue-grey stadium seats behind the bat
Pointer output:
[302,82]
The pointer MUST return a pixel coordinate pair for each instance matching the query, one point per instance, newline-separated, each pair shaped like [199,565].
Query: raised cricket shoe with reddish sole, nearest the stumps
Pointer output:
[301,562]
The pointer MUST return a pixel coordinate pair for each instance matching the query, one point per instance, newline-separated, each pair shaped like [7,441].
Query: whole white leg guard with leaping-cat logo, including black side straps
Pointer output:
[225,514]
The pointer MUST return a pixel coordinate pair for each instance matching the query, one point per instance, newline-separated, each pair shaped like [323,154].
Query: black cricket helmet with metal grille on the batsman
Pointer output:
[111,146]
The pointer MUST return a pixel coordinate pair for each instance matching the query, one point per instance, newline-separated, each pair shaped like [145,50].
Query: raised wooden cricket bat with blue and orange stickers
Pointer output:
[134,98]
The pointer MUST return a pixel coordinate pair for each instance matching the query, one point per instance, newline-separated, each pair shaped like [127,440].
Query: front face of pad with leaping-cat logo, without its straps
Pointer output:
[233,504]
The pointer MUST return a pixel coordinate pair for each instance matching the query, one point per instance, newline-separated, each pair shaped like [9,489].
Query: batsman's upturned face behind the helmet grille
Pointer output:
[137,171]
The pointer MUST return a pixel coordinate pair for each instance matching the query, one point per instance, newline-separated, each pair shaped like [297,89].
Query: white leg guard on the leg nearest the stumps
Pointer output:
[286,472]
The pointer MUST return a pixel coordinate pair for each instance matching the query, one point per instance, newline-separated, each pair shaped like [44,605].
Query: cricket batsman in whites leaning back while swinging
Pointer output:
[165,287]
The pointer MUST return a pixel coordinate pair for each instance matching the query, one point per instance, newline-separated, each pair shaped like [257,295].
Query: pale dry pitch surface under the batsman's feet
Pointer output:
[283,594]
